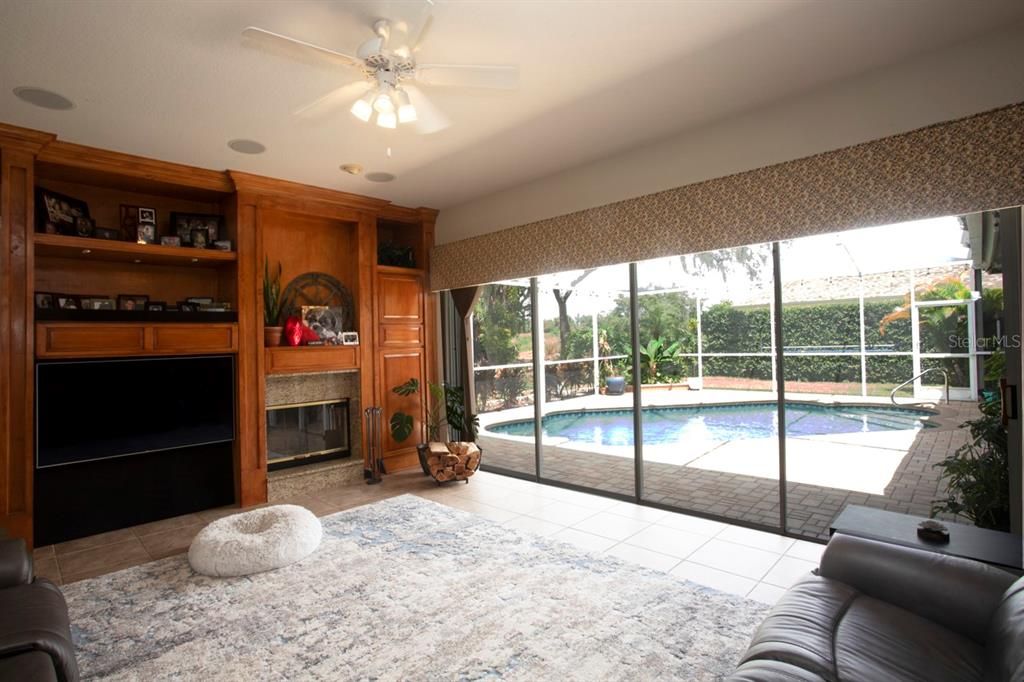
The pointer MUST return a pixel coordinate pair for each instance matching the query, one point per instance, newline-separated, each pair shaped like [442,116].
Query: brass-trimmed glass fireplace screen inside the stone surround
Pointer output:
[307,433]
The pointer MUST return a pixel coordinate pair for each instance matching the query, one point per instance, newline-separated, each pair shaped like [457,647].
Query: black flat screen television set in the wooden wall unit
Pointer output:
[94,410]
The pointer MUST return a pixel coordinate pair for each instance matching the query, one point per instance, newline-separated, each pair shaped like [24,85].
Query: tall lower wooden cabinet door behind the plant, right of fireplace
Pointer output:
[398,367]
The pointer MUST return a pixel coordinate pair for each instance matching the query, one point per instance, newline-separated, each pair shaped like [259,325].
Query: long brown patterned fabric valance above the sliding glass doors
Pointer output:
[951,168]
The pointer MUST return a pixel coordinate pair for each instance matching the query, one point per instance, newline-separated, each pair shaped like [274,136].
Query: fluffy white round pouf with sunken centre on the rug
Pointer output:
[257,541]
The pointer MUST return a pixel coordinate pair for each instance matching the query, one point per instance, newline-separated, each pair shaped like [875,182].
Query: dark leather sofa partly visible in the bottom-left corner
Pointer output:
[35,634]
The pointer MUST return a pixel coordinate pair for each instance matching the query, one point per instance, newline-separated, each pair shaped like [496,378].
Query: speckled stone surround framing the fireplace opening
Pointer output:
[288,390]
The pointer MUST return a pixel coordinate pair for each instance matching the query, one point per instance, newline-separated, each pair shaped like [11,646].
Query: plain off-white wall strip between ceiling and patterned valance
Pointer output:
[974,77]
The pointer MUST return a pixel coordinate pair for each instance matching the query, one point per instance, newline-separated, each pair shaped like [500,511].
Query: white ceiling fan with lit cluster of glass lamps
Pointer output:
[390,75]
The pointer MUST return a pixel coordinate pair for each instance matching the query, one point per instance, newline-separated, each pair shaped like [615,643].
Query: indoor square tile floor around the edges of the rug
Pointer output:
[732,559]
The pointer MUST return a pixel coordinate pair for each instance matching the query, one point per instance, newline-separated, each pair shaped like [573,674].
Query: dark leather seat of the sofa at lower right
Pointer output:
[834,632]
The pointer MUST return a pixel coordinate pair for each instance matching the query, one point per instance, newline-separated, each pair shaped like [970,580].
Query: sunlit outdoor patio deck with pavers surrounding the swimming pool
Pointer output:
[738,480]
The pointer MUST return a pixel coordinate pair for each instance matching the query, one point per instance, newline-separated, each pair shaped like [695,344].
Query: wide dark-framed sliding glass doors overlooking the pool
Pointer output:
[662,379]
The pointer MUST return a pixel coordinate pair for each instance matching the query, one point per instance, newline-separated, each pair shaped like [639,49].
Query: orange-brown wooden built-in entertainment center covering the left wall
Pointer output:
[305,229]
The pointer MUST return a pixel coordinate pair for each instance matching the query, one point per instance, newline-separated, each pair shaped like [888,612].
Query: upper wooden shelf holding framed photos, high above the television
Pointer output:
[61,246]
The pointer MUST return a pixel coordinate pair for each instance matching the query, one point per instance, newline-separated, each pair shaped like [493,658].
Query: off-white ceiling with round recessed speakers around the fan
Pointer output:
[172,80]
